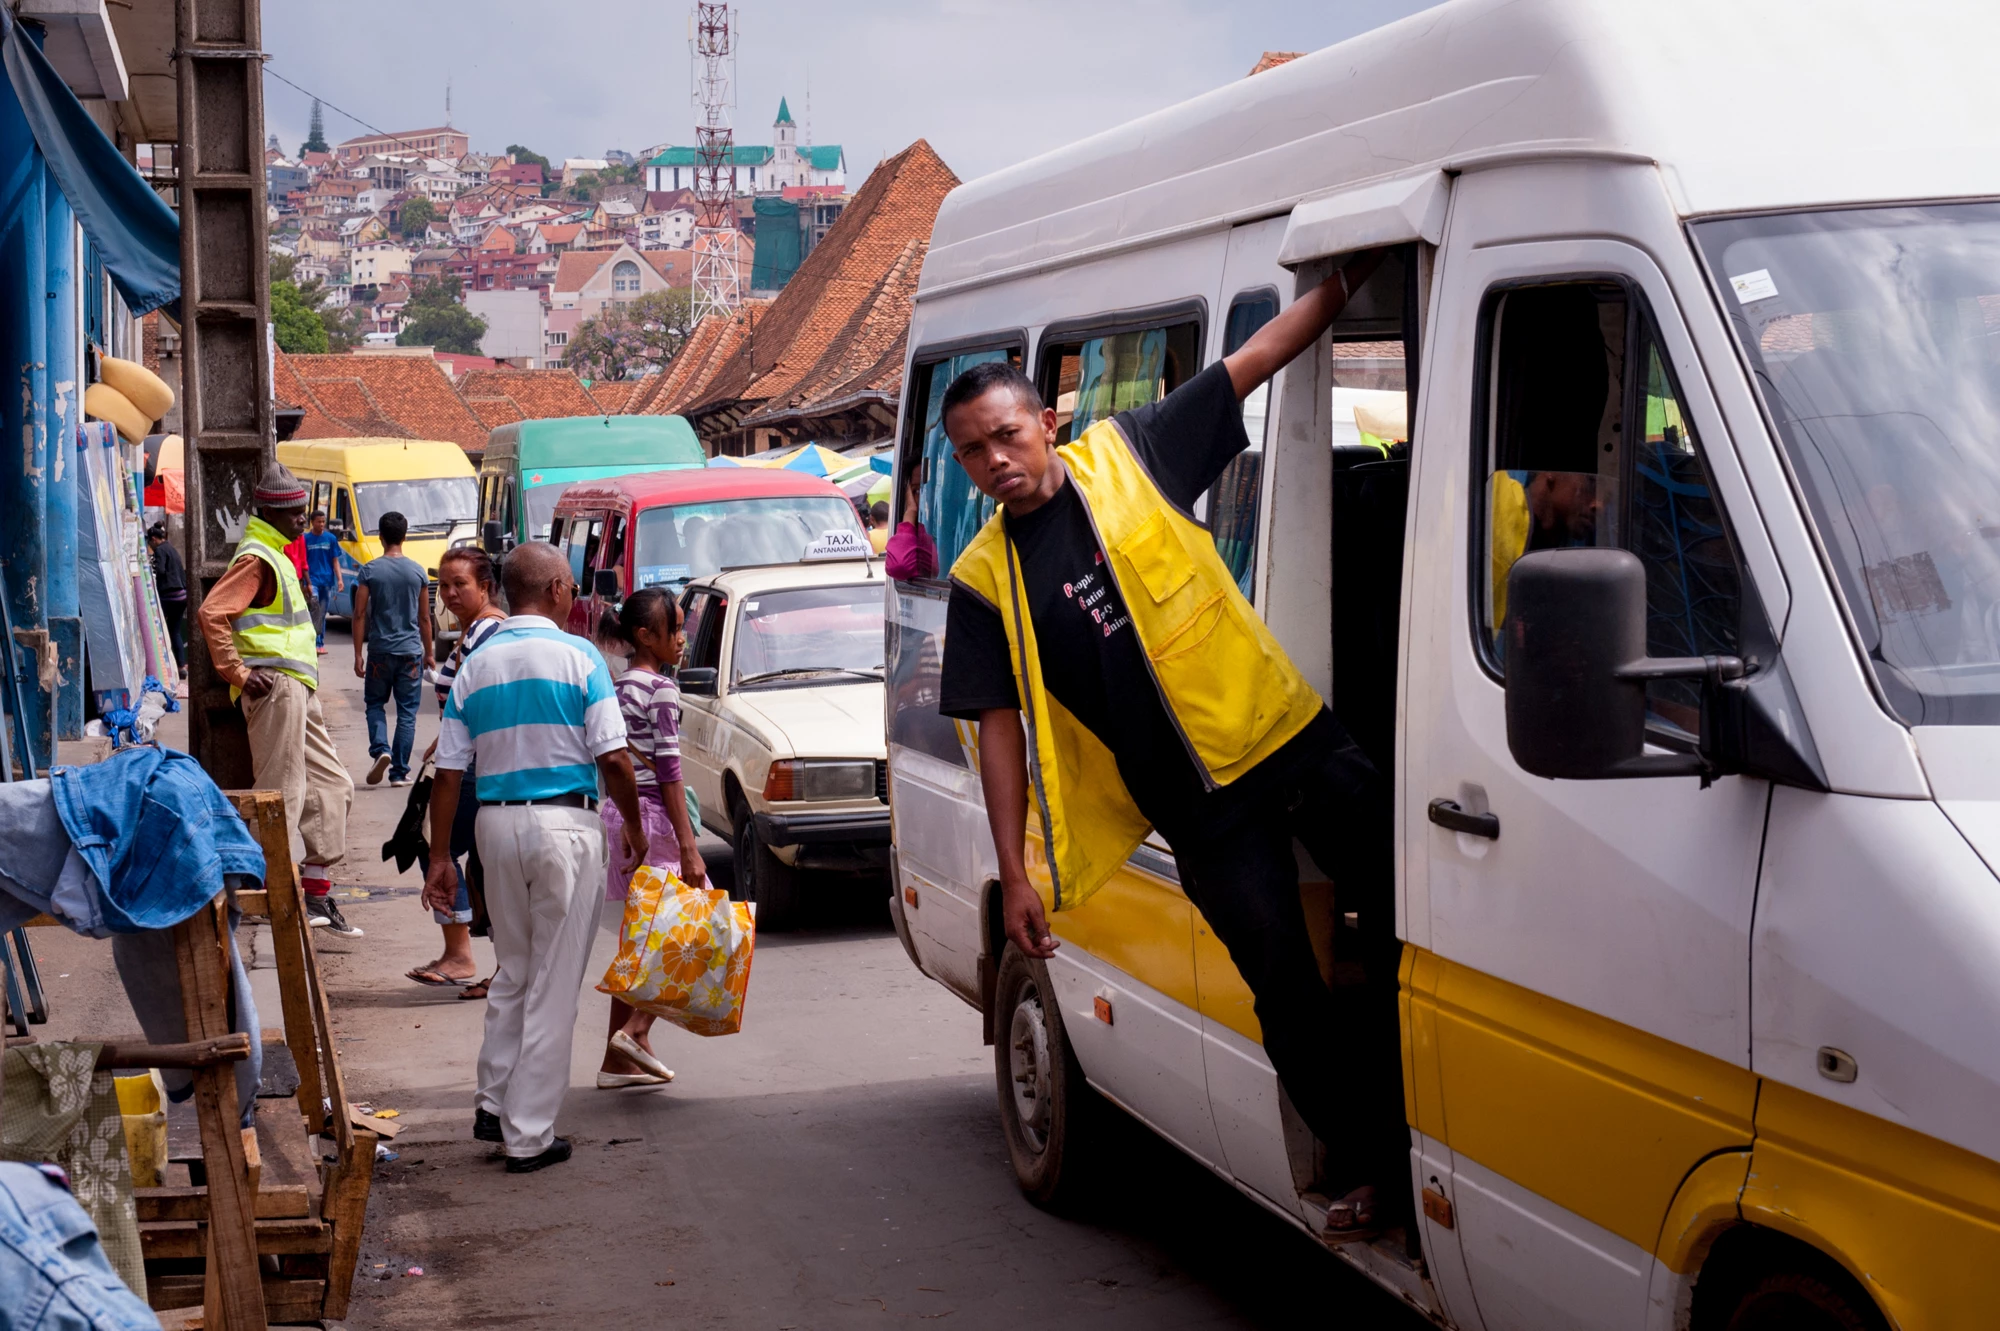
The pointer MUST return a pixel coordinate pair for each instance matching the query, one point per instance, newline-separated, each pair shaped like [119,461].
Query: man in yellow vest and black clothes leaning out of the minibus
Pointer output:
[1121,680]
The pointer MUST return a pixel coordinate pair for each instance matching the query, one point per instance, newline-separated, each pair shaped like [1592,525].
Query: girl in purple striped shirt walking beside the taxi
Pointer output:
[649,698]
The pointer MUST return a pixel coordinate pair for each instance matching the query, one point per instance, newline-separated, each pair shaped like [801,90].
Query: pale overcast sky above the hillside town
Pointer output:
[989,83]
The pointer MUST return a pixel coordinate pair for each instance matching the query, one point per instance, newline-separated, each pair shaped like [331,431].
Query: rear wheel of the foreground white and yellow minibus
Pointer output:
[1051,1144]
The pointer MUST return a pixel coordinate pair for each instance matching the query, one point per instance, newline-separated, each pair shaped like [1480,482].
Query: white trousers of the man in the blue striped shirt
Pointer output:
[545,888]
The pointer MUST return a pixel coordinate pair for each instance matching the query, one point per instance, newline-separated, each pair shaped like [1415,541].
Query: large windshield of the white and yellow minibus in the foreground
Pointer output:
[1875,337]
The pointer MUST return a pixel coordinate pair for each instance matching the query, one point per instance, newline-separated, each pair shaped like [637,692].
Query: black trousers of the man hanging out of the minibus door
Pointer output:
[1337,1052]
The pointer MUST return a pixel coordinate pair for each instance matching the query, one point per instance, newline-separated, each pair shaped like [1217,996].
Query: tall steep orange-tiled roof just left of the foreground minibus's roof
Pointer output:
[819,307]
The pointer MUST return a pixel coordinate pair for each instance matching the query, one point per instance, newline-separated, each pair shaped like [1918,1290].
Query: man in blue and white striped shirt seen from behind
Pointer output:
[535,712]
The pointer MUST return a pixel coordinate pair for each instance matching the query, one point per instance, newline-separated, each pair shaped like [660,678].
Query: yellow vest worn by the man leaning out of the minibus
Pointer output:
[1229,686]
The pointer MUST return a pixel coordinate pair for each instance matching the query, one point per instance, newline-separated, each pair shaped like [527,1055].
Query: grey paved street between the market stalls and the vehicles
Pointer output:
[837,1164]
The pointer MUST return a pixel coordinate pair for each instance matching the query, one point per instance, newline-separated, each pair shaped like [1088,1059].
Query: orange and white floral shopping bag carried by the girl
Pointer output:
[683,954]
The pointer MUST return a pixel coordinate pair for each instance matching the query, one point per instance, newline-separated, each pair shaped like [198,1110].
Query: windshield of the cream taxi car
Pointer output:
[809,637]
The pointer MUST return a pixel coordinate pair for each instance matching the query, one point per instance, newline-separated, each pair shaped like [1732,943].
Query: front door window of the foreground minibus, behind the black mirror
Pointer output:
[1589,447]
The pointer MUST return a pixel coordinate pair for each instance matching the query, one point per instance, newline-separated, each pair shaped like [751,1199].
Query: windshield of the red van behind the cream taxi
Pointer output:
[693,541]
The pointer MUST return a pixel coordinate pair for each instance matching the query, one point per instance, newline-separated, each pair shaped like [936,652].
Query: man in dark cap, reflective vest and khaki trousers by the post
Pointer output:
[259,629]
